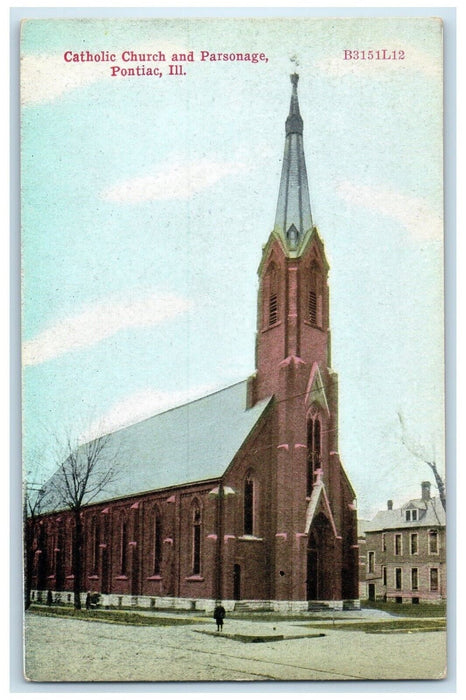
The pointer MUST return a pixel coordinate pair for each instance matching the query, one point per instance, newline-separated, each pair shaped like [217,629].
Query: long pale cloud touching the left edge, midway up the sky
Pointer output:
[100,321]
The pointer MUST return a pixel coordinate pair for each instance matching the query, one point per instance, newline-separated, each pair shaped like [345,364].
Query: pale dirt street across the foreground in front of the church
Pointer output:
[75,650]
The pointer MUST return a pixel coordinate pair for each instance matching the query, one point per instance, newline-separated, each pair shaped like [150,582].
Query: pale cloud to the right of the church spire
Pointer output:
[414,213]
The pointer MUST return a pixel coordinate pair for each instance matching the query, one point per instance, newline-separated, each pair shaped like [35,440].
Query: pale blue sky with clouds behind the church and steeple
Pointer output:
[140,286]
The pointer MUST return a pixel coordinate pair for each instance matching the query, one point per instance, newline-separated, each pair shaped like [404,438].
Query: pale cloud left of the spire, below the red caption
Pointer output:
[178,181]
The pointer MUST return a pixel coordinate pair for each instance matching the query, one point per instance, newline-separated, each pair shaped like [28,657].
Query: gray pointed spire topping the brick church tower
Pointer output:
[293,218]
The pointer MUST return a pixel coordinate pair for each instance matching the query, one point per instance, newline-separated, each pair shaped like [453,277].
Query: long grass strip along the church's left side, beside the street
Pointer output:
[112,616]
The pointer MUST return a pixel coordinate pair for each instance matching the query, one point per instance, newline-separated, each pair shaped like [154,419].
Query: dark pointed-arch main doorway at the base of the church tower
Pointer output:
[320,569]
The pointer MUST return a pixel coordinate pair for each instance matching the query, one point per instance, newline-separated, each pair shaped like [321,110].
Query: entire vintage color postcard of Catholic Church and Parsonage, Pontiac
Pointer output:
[232,318]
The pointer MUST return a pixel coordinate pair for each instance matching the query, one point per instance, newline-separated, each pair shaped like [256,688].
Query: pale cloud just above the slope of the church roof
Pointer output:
[142,405]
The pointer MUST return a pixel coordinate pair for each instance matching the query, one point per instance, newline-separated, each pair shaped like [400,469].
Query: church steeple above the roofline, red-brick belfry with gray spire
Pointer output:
[293,299]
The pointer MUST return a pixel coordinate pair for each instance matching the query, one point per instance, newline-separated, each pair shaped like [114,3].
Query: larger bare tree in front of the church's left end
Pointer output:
[82,476]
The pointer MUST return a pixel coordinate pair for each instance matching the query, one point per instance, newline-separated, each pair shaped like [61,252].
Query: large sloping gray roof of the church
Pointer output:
[190,443]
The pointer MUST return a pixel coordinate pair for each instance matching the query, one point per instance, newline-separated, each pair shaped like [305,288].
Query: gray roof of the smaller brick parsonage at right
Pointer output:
[431,514]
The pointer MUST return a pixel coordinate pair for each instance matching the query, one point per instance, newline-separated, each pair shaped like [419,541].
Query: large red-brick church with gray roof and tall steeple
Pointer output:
[240,495]
